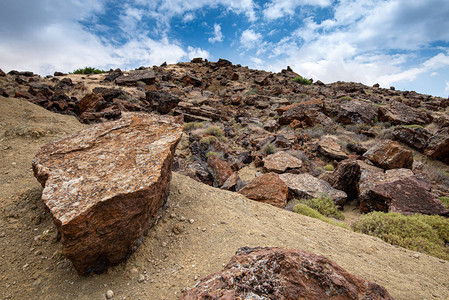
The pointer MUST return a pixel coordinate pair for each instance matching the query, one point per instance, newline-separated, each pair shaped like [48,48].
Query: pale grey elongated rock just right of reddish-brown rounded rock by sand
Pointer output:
[308,186]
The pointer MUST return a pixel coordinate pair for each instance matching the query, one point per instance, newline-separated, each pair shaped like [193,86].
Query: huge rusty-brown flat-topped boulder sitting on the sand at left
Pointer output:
[106,185]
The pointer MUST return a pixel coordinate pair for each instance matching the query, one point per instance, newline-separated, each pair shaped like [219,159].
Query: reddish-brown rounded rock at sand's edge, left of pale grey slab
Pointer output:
[267,188]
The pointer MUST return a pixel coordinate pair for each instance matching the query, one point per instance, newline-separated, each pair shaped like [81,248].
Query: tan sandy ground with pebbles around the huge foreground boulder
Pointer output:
[210,225]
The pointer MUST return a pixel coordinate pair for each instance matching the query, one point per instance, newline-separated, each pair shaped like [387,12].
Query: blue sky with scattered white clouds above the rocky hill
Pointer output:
[404,43]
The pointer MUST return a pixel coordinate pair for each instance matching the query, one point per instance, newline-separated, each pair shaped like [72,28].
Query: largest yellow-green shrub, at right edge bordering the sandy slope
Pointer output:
[427,234]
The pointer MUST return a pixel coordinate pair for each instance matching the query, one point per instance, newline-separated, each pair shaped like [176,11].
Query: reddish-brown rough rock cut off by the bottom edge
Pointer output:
[274,273]
